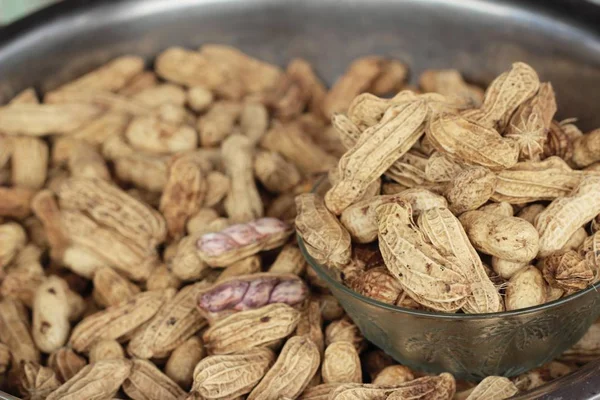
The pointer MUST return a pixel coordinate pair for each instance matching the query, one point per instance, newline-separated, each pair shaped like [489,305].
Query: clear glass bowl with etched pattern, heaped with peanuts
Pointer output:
[470,346]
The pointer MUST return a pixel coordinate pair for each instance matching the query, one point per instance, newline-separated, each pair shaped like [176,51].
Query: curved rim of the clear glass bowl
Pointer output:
[320,270]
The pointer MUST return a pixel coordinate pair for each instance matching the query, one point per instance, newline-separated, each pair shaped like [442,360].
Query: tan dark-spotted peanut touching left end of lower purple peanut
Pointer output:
[175,322]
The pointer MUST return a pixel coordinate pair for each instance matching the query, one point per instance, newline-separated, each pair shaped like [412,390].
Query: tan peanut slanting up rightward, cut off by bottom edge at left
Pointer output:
[94,381]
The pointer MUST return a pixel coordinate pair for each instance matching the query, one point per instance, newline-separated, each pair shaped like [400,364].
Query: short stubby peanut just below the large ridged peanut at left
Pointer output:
[110,288]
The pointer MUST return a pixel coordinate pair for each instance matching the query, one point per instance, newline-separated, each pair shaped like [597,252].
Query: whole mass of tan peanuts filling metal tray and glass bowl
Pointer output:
[147,223]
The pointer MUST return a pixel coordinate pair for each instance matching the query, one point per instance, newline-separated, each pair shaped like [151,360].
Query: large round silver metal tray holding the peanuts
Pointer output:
[559,38]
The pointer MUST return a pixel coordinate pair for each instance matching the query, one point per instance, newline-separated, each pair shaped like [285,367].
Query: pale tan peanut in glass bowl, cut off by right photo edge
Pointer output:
[559,221]
